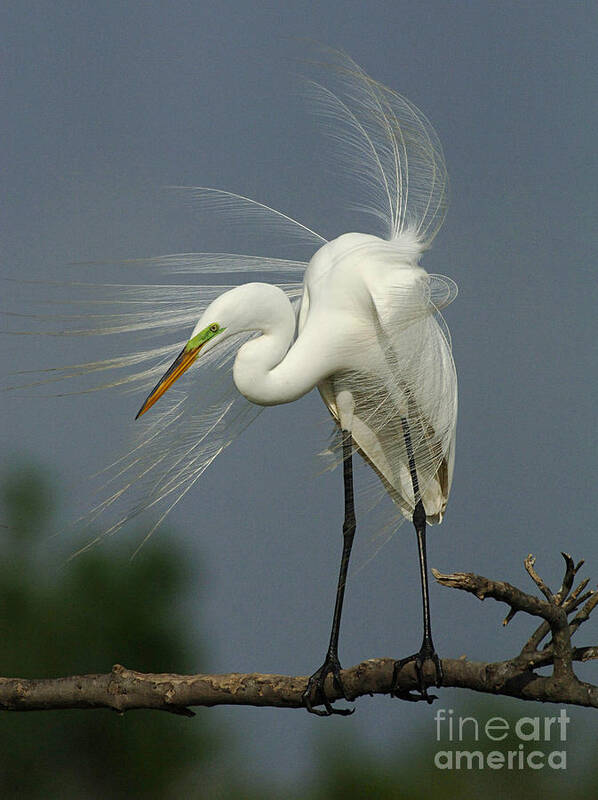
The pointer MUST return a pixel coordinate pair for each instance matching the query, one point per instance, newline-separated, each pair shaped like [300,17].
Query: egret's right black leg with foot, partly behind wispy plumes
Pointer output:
[426,651]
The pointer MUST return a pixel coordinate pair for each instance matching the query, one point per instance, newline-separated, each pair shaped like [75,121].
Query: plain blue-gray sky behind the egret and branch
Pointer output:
[105,104]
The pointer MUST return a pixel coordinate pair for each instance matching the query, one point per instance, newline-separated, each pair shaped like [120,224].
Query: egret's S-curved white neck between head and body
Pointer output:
[261,371]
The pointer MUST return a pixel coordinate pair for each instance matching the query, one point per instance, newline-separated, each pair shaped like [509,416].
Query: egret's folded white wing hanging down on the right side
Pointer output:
[416,400]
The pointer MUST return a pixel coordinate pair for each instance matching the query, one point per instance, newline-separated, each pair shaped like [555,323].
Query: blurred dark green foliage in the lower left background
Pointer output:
[99,609]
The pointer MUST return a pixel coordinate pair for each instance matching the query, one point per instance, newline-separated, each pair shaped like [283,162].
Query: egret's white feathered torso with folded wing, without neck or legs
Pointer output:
[371,300]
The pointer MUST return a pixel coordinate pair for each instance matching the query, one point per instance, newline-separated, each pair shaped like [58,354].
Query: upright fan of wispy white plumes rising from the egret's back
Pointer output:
[388,146]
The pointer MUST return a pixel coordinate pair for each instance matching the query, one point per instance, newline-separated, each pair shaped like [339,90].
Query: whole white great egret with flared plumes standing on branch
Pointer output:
[369,336]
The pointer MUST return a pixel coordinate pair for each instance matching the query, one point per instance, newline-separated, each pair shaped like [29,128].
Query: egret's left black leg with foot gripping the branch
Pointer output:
[314,694]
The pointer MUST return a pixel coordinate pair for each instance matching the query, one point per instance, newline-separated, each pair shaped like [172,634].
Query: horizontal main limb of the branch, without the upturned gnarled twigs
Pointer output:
[124,689]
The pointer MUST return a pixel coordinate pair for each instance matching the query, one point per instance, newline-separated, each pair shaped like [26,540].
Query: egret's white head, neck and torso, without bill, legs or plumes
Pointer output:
[368,340]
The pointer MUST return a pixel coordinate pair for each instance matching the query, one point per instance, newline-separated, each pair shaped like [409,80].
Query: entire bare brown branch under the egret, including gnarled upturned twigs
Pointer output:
[123,689]
